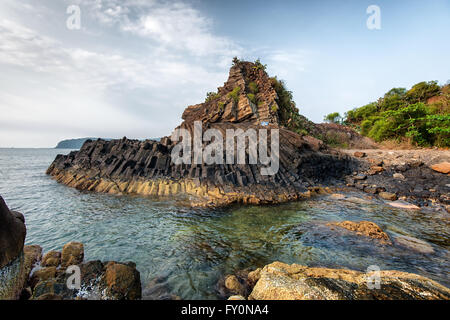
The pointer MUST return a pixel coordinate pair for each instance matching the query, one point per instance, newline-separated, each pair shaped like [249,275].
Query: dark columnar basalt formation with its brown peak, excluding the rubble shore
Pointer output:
[247,100]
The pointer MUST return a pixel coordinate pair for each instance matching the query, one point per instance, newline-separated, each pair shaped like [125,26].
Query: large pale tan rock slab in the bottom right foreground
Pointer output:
[279,281]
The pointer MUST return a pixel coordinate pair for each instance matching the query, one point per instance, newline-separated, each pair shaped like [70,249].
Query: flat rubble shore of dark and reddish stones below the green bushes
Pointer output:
[407,175]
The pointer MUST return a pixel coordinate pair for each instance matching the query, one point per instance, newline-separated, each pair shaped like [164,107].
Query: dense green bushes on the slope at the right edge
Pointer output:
[421,115]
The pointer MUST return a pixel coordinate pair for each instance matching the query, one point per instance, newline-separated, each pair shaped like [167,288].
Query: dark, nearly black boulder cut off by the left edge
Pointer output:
[12,234]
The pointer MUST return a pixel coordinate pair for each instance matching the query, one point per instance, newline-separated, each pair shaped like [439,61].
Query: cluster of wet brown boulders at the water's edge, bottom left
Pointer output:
[99,280]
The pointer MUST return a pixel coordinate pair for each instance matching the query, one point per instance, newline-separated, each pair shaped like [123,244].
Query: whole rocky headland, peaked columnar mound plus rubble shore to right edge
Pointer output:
[250,99]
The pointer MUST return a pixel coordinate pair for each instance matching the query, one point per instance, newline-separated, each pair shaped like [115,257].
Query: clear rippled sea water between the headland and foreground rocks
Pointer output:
[184,251]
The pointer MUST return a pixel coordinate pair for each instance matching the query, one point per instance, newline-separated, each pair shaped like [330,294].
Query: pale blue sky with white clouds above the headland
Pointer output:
[133,66]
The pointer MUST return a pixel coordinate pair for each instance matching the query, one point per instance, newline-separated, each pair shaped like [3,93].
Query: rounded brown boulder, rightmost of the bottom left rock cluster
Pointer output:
[123,282]
